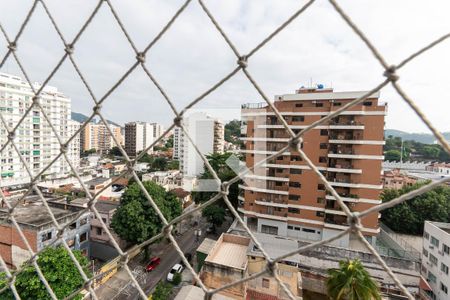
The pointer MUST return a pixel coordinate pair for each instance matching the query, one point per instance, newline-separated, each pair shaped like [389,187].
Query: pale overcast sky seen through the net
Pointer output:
[192,56]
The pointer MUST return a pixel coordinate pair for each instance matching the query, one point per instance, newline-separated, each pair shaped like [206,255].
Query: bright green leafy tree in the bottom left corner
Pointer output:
[59,271]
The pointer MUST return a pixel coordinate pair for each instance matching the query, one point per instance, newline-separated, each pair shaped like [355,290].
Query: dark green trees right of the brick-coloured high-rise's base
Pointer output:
[410,216]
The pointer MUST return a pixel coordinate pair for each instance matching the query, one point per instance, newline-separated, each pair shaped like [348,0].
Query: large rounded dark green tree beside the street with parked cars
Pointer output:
[135,220]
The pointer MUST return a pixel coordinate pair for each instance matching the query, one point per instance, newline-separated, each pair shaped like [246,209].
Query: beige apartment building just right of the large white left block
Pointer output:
[96,136]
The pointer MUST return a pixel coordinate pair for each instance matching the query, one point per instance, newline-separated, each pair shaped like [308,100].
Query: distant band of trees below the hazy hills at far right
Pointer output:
[413,151]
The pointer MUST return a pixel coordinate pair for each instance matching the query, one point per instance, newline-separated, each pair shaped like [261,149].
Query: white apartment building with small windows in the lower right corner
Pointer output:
[436,260]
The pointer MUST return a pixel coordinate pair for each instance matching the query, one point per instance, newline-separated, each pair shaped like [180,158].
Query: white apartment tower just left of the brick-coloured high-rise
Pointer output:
[208,135]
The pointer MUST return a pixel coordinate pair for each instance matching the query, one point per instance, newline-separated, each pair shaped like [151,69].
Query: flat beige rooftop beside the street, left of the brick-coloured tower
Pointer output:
[230,251]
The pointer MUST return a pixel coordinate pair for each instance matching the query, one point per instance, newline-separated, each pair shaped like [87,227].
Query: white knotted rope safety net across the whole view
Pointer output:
[294,143]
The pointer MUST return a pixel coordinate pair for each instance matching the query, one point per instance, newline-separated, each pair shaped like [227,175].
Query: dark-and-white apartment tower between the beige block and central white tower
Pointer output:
[138,136]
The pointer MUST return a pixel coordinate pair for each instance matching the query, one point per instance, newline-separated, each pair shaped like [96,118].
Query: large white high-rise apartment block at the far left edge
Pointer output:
[34,138]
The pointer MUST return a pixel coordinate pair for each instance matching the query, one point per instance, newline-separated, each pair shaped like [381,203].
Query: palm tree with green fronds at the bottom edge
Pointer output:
[351,282]
